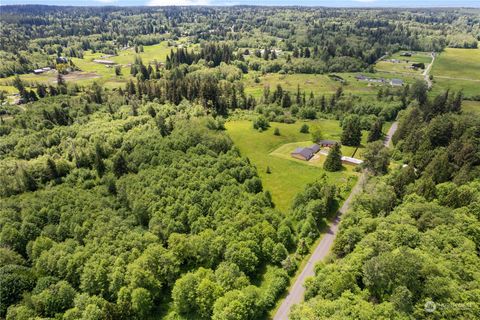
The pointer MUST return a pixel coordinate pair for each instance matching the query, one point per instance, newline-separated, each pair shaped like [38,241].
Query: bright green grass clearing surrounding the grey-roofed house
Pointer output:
[288,176]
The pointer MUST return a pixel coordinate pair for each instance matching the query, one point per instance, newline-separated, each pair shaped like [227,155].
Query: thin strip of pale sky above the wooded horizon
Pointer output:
[326,3]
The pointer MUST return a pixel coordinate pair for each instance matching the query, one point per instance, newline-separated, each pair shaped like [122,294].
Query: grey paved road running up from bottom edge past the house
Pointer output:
[297,291]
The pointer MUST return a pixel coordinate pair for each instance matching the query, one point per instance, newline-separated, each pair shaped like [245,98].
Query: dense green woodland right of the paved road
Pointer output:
[412,237]
